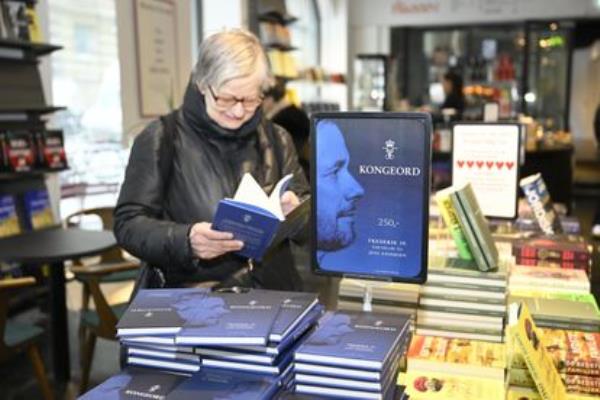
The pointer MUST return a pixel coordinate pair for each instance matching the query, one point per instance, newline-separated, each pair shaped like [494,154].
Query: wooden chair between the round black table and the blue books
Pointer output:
[112,266]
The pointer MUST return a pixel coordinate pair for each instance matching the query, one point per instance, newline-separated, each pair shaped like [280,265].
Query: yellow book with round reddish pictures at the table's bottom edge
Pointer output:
[424,385]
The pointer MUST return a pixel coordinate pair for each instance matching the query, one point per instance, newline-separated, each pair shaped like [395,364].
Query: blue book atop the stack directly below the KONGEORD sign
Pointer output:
[355,340]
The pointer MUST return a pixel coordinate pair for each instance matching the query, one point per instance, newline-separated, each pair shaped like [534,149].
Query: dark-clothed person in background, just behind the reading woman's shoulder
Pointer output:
[293,119]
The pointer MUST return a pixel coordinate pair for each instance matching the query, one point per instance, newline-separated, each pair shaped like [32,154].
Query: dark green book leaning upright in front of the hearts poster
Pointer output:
[474,227]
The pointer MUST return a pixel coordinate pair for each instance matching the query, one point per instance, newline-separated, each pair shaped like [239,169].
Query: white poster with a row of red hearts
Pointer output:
[487,155]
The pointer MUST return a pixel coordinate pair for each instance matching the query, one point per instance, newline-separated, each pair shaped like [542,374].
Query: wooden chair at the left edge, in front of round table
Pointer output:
[17,337]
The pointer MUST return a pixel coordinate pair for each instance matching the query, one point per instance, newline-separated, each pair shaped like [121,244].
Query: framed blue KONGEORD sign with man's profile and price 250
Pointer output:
[371,194]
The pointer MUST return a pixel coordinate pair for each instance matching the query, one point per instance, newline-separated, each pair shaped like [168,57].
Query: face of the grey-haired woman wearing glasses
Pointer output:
[235,102]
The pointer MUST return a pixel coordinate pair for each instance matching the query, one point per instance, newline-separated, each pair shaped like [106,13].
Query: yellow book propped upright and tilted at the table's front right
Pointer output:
[528,342]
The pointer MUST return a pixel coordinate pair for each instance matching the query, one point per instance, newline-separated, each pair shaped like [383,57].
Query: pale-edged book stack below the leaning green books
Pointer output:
[462,302]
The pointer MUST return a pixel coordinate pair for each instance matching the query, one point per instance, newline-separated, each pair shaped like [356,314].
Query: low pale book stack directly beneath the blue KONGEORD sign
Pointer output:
[387,297]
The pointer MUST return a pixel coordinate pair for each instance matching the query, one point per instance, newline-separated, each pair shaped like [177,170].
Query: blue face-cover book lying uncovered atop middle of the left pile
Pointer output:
[221,319]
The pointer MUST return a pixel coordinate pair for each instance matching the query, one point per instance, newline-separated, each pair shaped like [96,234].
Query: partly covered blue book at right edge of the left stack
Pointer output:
[293,309]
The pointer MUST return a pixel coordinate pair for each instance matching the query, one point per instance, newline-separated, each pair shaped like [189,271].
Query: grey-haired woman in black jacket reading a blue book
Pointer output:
[181,167]
